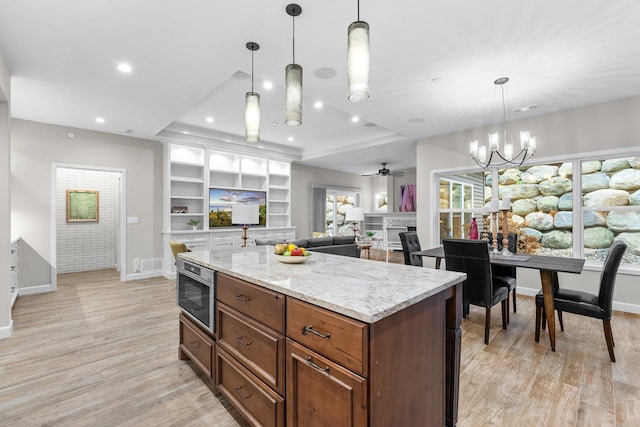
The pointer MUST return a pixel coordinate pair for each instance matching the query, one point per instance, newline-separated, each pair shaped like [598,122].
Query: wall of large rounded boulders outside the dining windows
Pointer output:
[542,202]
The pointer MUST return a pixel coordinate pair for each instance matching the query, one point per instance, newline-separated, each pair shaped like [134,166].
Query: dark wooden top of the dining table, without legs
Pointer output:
[538,262]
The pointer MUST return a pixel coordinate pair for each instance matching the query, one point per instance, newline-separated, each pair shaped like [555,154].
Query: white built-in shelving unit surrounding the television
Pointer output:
[193,170]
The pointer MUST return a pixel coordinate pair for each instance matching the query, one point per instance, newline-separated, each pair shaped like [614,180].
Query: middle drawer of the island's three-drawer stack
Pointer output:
[257,347]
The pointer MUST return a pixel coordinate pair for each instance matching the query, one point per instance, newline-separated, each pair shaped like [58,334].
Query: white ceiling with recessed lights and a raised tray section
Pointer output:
[62,56]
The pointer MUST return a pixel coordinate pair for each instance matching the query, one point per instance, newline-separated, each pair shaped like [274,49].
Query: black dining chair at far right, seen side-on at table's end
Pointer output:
[587,304]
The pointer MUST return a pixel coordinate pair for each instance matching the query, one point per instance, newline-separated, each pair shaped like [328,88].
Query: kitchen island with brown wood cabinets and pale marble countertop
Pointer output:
[343,341]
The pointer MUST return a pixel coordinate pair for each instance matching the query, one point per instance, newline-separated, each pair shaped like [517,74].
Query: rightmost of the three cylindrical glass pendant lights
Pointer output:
[358,60]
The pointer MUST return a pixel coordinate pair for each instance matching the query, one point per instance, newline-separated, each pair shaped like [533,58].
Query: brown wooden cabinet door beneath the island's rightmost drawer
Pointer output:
[320,392]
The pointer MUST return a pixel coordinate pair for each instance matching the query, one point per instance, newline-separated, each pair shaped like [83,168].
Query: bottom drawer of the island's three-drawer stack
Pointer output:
[256,402]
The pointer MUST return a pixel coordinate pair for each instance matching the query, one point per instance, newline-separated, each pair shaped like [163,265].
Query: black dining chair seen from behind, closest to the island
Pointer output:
[472,257]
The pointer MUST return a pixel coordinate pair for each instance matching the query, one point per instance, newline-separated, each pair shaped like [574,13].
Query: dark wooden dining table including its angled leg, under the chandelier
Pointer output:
[549,267]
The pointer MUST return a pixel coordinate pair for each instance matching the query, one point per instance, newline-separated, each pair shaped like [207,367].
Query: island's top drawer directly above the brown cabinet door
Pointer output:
[337,337]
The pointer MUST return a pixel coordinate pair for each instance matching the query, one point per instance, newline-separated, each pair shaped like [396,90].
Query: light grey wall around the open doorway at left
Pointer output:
[36,146]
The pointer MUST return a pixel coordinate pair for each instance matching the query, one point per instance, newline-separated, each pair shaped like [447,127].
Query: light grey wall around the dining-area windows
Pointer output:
[612,125]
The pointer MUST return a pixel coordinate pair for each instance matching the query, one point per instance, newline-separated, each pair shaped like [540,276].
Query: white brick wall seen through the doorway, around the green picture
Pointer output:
[83,246]
